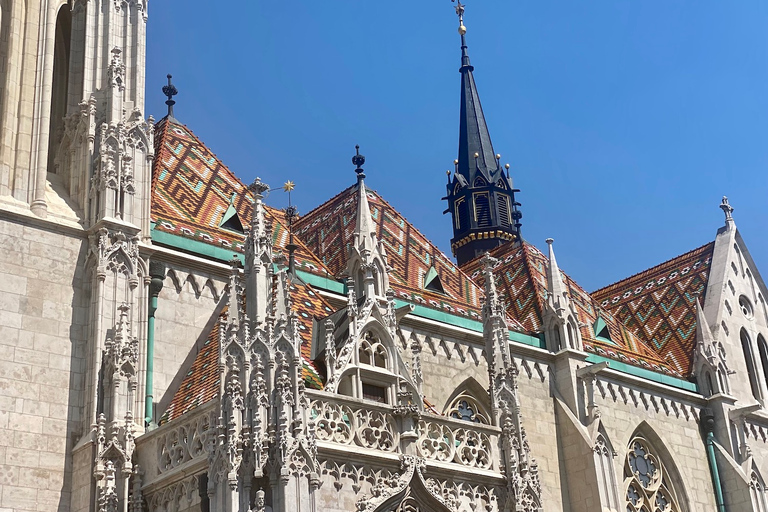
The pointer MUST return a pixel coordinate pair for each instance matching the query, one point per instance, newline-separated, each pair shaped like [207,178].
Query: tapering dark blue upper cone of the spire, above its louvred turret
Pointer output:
[476,156]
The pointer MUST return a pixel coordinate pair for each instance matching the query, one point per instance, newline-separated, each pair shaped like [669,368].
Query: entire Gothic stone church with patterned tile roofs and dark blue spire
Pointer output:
[170,342]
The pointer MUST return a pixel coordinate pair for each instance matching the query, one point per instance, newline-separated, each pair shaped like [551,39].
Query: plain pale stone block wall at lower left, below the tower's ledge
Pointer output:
[43,311]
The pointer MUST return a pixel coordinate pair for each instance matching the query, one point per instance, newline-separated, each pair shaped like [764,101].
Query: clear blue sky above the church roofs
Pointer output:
[624,121]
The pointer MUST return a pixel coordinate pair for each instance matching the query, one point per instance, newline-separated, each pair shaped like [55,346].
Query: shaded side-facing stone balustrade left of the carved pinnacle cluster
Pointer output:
[181,443]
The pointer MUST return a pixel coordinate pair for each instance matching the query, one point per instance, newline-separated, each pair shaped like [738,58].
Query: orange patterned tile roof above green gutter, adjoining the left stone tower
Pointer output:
[192,190]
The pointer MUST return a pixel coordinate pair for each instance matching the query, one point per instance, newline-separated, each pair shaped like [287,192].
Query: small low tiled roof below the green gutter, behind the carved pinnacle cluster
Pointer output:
[201,382]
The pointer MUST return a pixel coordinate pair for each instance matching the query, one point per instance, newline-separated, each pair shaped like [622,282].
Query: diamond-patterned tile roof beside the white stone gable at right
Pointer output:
[659,304]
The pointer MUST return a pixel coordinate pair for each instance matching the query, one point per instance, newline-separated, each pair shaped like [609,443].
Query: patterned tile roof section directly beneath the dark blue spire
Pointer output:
[522,283]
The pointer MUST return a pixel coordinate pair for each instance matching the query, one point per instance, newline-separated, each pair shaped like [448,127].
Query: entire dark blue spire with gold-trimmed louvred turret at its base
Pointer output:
[480,194]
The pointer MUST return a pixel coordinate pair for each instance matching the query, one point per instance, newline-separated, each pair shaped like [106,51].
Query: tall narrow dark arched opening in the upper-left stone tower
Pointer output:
[60,81]
